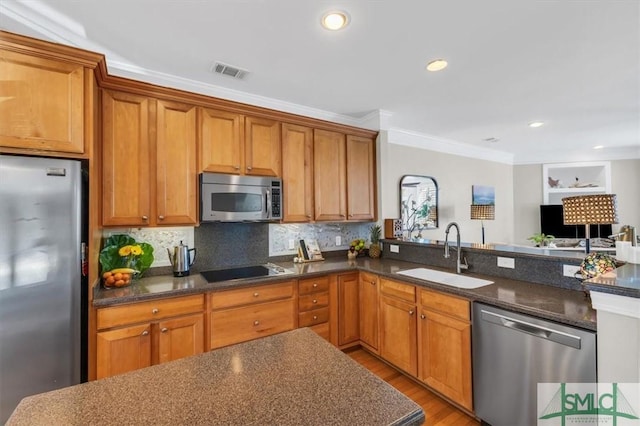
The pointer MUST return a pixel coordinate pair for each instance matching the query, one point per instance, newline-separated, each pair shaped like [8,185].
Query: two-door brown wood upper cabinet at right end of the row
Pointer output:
[344,177]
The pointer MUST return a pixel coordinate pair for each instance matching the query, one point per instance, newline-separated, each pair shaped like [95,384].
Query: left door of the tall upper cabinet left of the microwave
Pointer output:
[125,159]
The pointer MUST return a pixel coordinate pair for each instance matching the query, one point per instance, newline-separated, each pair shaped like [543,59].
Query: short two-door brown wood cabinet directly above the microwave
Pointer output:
[237,144]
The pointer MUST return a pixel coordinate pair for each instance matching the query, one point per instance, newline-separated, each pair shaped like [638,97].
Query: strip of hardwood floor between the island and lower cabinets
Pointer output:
[437,411]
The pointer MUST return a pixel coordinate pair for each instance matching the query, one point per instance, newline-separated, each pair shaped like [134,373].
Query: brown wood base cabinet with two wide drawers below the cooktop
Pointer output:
[248,313]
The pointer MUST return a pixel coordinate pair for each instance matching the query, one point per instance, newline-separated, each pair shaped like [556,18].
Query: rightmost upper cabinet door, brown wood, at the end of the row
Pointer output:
[361,178]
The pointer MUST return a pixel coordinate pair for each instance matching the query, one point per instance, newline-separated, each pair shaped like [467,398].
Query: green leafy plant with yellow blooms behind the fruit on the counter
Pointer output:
[122,251]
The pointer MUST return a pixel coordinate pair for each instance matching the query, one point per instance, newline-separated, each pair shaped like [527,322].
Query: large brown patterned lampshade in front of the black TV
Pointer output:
[590,209]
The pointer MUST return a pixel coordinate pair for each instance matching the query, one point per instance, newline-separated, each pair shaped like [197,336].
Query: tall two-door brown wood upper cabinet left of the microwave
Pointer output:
[149,161]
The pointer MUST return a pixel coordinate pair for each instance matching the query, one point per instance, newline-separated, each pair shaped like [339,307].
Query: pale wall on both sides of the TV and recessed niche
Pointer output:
[625,182]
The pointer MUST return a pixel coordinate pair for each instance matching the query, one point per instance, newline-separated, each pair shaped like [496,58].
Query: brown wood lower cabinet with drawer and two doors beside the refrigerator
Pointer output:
[138,335]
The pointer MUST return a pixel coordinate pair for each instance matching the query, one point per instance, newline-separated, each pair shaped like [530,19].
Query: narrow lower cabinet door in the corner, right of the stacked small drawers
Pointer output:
[348,309]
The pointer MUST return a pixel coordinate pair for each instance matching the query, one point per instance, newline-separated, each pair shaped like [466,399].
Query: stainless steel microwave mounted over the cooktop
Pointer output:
[231,198]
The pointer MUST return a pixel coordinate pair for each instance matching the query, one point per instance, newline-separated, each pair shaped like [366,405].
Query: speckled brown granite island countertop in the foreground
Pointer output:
[291,378]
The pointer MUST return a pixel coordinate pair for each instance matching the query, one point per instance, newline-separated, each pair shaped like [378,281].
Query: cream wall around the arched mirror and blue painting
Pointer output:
[455,176]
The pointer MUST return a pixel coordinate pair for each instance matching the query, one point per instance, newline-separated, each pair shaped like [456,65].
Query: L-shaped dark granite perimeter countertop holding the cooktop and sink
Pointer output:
[557,304]
